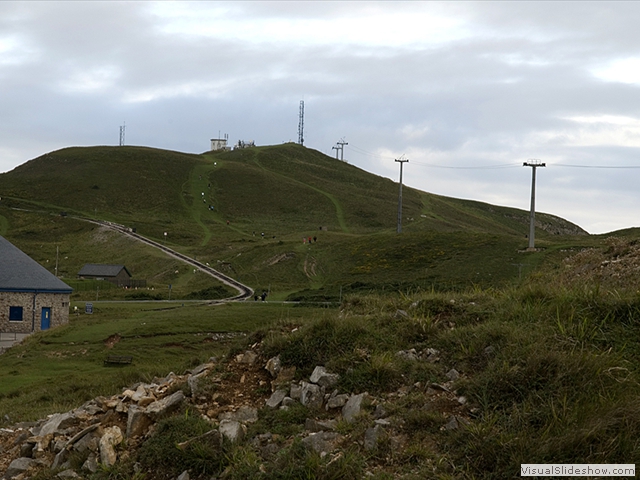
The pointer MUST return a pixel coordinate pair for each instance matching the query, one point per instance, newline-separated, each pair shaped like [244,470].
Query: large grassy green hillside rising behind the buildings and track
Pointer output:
[216,206]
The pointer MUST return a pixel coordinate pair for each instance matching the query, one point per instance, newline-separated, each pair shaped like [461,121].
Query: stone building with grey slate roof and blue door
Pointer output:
[31,297]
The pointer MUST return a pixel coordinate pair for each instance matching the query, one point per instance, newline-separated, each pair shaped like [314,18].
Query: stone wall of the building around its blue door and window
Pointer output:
[58,302]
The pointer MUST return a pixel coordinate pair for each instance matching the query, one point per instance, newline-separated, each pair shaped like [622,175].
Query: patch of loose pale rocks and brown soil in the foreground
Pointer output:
[230,395]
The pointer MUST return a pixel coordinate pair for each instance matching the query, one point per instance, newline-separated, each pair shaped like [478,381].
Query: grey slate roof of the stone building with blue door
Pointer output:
[21,273]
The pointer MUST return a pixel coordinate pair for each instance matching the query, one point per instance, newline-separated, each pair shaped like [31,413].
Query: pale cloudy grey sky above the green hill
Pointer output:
[466,91]
